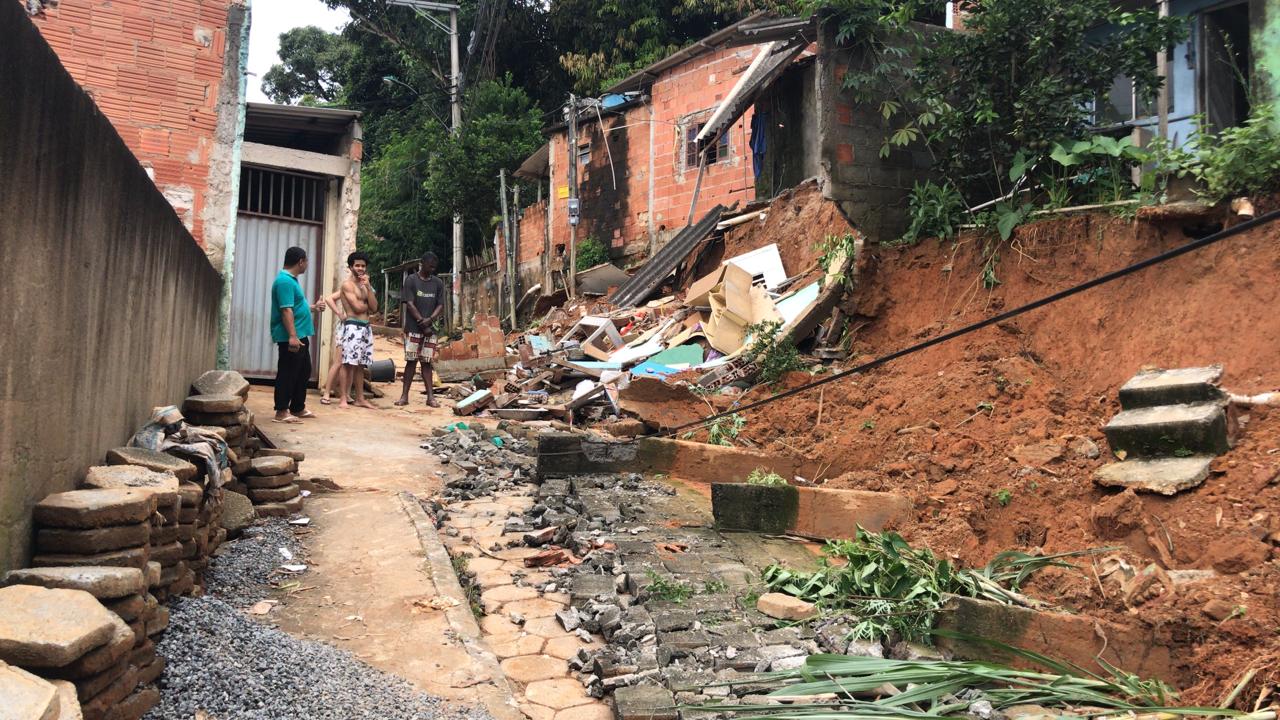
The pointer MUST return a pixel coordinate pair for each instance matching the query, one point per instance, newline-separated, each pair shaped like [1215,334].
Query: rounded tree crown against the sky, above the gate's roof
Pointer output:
[314,65]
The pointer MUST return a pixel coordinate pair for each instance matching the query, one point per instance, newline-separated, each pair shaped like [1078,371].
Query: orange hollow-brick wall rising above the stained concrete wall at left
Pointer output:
[154,70]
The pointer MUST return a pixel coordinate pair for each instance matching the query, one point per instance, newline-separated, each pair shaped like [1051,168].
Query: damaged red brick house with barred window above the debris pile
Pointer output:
[772,90]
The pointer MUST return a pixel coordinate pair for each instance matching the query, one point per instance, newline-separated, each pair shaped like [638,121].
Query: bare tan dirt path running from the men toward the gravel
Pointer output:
[367,563]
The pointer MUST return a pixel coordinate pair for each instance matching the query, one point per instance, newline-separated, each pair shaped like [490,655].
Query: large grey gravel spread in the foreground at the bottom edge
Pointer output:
[234,668]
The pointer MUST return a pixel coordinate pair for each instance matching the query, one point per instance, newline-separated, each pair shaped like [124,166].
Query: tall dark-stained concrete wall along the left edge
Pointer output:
[111,308]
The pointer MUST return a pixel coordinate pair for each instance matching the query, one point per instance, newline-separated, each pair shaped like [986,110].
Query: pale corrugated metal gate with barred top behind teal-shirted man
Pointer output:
[277,212]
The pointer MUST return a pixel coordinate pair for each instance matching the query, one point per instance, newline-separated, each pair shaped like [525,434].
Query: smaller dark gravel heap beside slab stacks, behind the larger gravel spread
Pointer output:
[241,575]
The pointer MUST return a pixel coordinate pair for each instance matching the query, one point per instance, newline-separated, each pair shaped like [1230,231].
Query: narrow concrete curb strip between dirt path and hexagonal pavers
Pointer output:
[500,700]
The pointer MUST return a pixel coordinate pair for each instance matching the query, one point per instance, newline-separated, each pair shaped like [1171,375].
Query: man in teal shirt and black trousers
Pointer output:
[292,332]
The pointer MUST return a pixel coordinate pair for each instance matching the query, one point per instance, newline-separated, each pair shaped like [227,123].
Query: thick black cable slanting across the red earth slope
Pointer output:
[1089,285]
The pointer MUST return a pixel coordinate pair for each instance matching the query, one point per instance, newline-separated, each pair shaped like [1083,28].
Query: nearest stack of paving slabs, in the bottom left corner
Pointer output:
[66,634]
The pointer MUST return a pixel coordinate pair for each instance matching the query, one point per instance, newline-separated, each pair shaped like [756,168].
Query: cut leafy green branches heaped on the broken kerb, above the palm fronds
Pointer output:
[892,587]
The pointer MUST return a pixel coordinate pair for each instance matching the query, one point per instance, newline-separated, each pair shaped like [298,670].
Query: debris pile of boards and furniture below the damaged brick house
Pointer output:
[580,362]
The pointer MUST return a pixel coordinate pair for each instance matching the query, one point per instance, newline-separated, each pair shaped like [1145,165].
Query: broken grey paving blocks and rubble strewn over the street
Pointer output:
[673,599]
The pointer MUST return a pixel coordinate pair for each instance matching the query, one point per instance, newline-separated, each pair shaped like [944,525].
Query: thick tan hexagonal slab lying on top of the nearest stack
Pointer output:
[51,628]
